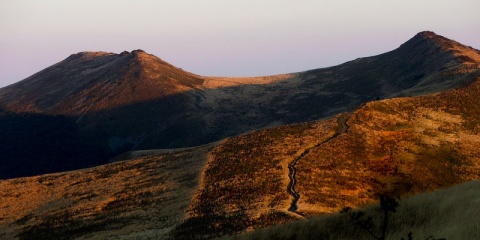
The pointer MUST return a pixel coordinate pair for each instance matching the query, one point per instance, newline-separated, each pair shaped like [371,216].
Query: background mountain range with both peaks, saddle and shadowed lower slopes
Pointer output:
[134,100]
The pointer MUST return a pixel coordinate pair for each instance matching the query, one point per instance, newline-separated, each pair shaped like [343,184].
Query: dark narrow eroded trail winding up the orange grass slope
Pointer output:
[341,128]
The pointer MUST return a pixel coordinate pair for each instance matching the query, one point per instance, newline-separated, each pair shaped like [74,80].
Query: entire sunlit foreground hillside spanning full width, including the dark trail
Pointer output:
[398,147]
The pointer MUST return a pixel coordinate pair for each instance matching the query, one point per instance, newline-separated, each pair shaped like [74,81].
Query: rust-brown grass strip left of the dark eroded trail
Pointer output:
[244,183]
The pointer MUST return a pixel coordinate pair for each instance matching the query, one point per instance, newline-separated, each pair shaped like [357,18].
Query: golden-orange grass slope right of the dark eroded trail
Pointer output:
[397,147]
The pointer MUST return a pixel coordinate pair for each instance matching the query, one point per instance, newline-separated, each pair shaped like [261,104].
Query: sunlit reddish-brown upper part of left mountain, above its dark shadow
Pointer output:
[95,81]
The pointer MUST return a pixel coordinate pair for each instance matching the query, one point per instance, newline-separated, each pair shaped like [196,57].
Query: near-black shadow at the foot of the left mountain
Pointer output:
[33,144]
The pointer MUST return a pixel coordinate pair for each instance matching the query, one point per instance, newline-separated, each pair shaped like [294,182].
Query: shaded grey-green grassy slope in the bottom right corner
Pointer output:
[444,214]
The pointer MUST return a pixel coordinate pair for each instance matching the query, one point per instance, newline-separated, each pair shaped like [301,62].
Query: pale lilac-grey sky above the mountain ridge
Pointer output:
[224,37]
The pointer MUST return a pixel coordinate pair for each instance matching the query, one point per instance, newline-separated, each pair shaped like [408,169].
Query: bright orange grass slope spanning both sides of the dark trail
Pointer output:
[396,147]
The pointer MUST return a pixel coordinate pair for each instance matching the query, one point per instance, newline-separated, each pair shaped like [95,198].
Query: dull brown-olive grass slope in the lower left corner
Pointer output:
[140,198]
